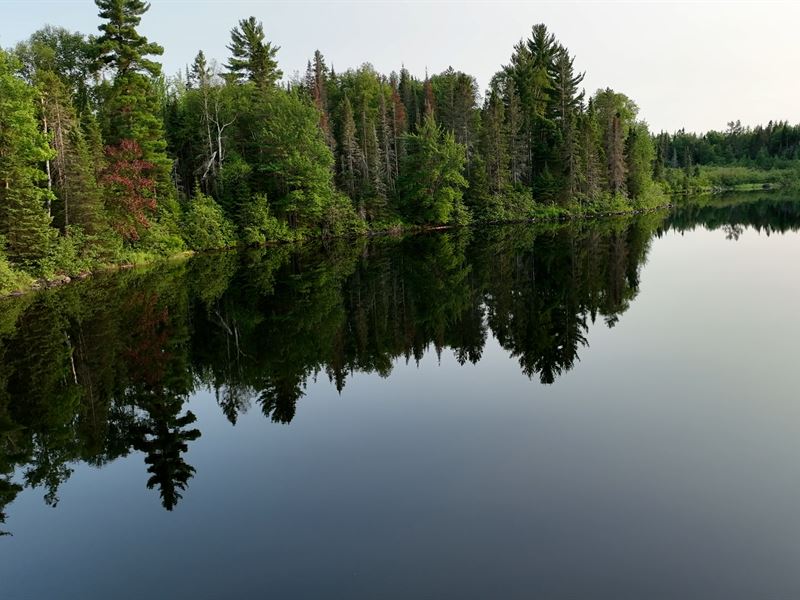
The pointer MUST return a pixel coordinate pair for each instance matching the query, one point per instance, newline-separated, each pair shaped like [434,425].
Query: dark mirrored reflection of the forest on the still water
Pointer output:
[106,367]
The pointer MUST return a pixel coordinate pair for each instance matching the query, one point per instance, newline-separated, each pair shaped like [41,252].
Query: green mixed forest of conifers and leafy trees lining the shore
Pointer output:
[105,162]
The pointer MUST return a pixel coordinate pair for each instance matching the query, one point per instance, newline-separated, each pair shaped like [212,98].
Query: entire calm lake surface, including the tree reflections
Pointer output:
[607,410]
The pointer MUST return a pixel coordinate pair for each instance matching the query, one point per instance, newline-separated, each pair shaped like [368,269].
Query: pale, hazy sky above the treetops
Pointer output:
[692,65]
